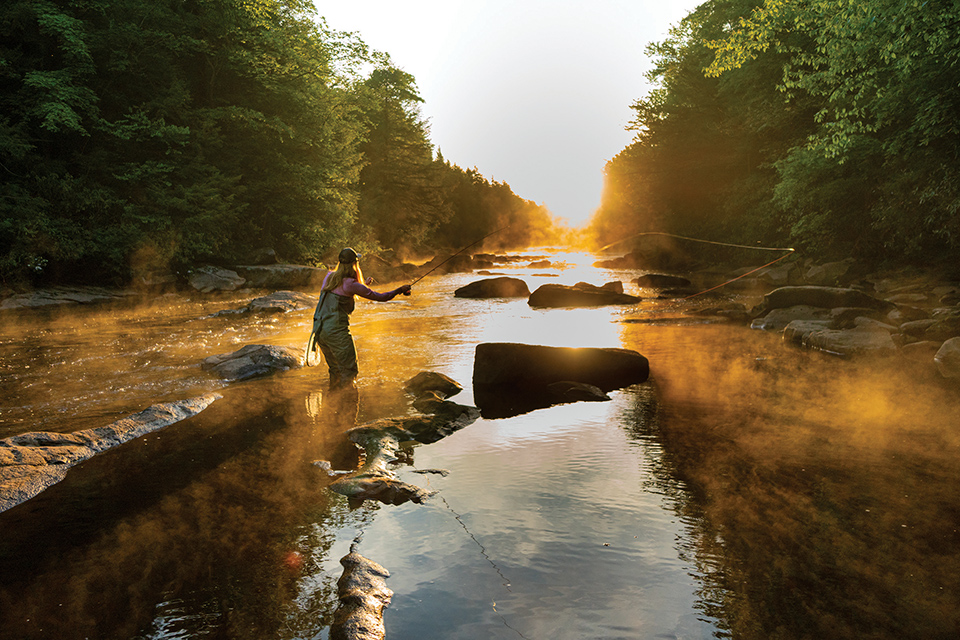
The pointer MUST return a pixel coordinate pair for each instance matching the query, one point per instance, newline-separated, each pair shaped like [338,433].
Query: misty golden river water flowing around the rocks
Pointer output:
[746,490]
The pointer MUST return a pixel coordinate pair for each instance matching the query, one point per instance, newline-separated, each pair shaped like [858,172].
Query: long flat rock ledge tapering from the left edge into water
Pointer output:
[31,462]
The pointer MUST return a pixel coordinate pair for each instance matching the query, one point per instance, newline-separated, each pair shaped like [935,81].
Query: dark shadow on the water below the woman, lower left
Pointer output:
[186,532]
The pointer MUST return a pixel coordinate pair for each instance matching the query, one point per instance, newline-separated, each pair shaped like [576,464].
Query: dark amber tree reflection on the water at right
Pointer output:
[826,491]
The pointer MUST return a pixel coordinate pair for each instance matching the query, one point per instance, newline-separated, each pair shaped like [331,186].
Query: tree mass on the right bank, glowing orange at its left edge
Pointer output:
[828,125]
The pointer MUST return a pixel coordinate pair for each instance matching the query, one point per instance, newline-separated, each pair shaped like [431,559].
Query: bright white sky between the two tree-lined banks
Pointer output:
[534,93]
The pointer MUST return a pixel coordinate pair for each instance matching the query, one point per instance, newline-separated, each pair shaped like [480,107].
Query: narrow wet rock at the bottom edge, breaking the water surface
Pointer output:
[363,595]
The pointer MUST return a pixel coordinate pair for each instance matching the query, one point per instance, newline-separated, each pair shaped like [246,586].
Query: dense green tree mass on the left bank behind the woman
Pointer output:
[138,136]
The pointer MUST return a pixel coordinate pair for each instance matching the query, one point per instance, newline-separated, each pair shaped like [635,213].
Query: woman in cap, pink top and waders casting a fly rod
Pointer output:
[331,320]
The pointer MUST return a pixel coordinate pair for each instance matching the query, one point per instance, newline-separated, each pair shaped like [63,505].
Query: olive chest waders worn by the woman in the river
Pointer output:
[331,334]
